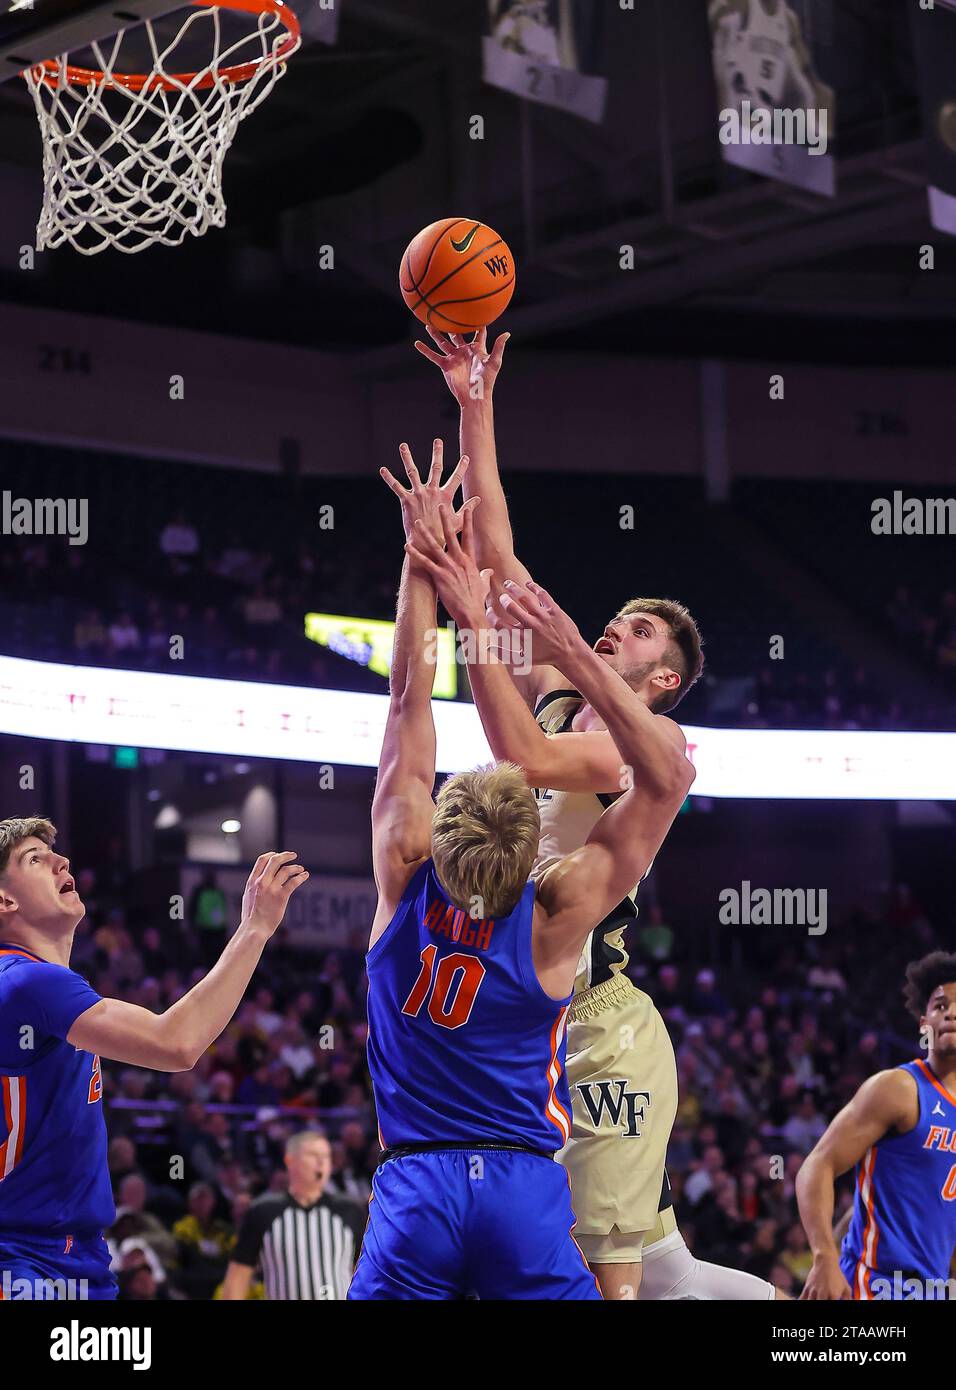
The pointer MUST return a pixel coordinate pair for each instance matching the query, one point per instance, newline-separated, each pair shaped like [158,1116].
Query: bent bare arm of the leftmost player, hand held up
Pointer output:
[176,1040]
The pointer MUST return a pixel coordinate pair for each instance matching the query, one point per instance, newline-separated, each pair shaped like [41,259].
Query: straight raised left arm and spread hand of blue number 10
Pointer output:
[402,807]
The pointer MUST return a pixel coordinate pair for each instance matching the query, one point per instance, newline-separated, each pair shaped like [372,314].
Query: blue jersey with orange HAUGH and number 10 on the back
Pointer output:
[463,1043]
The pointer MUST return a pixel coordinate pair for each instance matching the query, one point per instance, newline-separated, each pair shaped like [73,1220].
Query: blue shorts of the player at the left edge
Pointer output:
[55,1267]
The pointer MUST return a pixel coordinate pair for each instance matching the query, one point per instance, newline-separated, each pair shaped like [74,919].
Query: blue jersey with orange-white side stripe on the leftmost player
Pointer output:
[53,1161]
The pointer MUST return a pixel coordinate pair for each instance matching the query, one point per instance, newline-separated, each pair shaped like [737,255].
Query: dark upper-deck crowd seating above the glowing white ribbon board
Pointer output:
[859,650]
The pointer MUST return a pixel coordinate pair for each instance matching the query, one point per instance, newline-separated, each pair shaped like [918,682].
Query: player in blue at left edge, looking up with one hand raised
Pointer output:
[55,1181]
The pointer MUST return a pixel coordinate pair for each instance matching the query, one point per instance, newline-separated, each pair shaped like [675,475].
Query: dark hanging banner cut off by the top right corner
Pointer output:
[934,45]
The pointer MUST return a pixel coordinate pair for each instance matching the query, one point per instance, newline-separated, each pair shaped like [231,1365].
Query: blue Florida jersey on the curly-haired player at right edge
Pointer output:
[905,1206]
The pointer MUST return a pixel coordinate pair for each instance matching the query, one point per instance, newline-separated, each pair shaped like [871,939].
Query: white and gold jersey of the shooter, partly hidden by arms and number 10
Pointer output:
[568,819]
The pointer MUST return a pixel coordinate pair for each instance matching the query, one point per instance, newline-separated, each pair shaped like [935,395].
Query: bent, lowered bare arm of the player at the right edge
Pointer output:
[886,1103]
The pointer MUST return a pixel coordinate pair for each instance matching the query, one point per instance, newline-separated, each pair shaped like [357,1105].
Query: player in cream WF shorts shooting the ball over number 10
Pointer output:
[622,1064]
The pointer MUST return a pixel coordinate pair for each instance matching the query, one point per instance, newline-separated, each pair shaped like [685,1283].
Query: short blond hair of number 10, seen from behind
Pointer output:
[486,835]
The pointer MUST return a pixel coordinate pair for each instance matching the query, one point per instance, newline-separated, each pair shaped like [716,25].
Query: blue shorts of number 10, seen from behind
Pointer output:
[493,1224]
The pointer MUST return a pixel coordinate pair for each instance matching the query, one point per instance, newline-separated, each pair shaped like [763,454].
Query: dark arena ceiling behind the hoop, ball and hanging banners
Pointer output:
[365,142]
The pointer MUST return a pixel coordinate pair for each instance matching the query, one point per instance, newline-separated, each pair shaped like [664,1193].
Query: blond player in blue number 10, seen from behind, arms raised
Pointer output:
[472,965]
